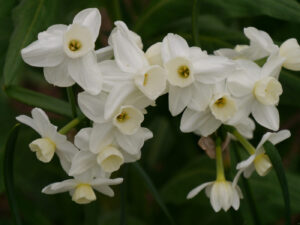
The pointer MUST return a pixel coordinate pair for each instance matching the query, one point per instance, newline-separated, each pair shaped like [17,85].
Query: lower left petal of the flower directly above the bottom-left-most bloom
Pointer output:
[82,161]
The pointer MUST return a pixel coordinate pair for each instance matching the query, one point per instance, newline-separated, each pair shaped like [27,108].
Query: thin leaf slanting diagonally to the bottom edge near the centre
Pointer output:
[154,191]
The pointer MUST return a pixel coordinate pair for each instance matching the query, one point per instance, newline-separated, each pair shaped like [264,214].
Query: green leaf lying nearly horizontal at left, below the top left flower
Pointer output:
[39,100]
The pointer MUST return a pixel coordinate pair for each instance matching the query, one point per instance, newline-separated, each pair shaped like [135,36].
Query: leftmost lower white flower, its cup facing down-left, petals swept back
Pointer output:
[51,141]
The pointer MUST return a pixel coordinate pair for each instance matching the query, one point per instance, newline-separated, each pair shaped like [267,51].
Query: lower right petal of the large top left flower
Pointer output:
[85,71]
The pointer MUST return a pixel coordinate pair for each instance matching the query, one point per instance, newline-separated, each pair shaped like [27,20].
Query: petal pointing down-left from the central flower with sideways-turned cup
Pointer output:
[116,97]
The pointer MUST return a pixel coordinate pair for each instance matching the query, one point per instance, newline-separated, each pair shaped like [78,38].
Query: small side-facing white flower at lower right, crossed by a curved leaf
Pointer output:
[258,160]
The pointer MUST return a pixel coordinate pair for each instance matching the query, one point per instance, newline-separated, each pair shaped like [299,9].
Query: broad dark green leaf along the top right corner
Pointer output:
[287,10]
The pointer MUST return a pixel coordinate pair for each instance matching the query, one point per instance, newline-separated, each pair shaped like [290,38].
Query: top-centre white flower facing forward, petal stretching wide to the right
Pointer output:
[191,74]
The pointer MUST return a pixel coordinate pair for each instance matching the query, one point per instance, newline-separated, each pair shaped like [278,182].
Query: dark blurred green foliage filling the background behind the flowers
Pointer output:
[172,159]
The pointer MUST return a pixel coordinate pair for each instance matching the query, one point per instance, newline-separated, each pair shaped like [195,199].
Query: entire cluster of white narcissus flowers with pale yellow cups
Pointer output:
[212,91]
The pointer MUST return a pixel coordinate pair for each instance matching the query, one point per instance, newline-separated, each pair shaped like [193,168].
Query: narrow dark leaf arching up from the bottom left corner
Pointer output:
[8,172]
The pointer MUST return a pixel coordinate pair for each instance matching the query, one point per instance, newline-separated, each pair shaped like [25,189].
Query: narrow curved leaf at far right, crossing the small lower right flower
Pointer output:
[277,164]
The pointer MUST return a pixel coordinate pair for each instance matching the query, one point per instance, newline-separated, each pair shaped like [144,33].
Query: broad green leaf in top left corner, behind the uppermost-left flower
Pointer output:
[30,17]
